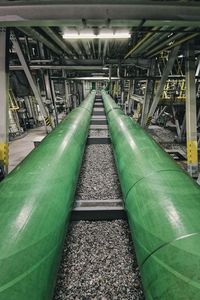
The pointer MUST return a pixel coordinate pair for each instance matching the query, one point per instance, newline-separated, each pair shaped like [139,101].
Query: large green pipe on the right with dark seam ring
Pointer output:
[163,207]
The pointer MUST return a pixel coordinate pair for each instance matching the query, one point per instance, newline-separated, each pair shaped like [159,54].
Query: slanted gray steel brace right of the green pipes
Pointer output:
[166,72]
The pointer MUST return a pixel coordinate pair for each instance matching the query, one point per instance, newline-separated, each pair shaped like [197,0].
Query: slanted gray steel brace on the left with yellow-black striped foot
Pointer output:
[30,79]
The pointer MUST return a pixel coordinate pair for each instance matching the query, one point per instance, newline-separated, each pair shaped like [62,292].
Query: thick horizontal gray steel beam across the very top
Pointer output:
[52,14]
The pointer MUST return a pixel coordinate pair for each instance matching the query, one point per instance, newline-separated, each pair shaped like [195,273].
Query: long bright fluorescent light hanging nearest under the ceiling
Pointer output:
[89,34]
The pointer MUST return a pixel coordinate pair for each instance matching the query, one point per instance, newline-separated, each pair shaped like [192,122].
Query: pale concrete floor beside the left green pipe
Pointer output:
[20,148]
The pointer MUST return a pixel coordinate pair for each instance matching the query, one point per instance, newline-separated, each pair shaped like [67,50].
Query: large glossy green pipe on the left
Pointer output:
[36,200]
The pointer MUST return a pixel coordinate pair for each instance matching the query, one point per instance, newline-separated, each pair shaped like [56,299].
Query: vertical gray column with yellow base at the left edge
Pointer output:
[4,99]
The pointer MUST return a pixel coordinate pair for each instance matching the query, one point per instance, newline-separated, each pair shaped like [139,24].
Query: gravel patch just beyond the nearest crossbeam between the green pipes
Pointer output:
[98,176]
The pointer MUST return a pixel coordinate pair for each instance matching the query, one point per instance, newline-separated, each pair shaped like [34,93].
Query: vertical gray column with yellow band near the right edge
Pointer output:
[191,120]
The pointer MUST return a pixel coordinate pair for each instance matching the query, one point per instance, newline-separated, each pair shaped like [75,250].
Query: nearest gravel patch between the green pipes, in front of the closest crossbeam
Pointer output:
[98,262]
